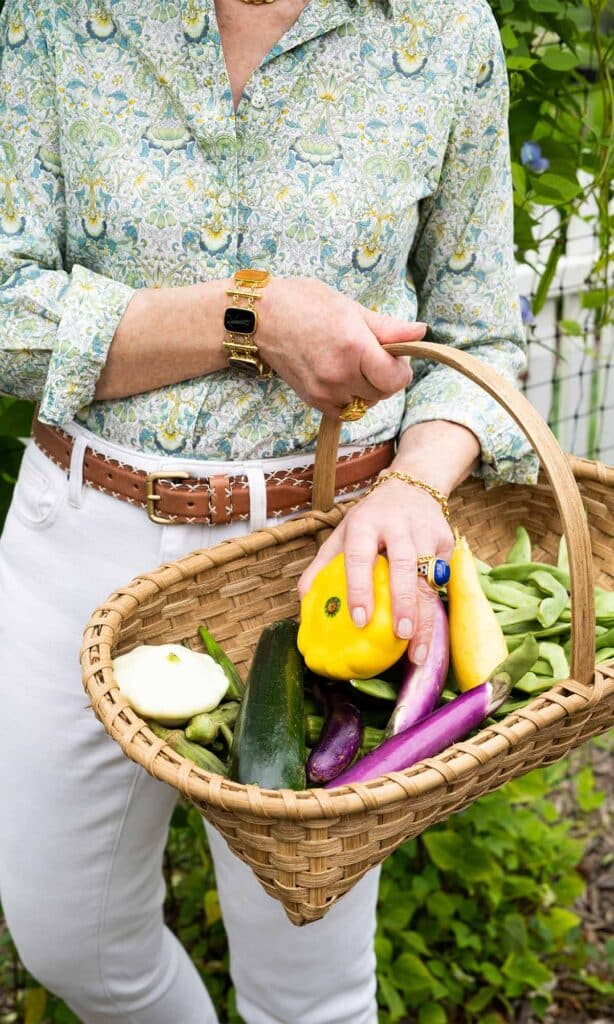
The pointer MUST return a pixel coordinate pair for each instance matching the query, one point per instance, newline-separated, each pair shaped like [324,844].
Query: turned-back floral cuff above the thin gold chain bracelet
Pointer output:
[506,454]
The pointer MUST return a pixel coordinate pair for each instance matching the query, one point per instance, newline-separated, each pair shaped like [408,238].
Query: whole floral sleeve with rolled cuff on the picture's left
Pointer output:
[57,324]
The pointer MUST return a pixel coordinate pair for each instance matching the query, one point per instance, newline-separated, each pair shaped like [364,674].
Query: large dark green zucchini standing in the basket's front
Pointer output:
[269,749]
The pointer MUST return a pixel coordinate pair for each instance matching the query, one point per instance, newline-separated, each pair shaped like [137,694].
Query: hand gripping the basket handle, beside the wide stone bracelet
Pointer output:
[328,347]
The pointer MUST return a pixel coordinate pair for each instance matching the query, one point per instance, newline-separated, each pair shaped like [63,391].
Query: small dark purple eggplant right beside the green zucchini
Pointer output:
[340,738]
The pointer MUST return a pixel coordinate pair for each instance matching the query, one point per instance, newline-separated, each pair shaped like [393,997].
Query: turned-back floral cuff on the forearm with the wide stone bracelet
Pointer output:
[93,308]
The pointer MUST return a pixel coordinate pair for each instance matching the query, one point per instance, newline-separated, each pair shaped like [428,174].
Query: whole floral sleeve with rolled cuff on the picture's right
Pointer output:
[462,266]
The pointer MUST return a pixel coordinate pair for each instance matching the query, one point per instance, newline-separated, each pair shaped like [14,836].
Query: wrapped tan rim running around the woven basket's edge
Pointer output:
[450,769]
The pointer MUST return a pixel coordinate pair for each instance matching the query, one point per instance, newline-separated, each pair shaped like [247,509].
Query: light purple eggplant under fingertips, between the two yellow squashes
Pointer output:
[422,685]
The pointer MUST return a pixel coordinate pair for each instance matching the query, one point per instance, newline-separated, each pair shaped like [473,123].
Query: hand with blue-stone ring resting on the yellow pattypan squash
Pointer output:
[403,522]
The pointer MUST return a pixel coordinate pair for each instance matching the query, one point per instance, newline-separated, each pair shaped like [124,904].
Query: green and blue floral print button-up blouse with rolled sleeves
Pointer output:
[370,150]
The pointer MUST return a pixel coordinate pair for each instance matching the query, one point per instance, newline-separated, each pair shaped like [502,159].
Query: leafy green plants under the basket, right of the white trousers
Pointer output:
[485,917]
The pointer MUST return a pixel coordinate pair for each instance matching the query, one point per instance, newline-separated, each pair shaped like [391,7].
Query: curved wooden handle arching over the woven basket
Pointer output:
[567,496]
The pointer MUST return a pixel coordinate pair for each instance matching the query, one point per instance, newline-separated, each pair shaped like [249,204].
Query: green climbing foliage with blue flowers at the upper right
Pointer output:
[560,60]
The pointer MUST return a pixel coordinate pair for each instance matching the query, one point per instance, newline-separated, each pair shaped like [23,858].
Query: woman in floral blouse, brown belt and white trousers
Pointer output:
[357,151]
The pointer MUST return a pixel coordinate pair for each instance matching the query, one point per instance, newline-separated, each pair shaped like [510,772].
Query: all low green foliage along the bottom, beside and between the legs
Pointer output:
[474,915]
